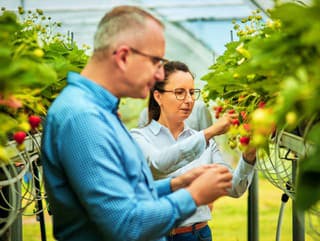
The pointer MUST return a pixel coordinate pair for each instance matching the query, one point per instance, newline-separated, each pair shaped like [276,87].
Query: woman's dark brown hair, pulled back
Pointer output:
[169,68]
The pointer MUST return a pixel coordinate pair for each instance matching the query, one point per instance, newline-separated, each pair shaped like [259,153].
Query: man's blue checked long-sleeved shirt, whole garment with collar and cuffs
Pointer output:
[98,182]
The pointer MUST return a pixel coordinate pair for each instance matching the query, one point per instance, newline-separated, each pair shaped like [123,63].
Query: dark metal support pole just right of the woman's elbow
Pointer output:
[253,217]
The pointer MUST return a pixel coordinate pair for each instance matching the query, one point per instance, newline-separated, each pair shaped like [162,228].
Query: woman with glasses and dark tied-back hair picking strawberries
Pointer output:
[172,148]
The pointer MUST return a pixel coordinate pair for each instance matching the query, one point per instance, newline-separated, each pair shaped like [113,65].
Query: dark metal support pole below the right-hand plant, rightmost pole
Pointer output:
[298,232]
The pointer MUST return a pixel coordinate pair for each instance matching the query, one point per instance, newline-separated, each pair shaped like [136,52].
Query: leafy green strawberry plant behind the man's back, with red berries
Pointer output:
[34,61]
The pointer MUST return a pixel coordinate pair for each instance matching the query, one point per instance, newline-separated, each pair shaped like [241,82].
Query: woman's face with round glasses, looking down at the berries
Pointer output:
[173,106]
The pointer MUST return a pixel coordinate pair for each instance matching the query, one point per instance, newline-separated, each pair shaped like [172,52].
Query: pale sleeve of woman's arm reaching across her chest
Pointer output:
[165,160]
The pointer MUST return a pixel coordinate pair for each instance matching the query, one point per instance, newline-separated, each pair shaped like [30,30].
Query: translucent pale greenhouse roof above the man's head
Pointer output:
[196,30]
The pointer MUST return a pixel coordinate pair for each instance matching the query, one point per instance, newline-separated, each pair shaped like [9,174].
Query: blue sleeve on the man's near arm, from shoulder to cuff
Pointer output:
[93,164]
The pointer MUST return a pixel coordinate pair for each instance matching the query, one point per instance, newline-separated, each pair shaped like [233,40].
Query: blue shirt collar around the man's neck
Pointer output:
[100,94]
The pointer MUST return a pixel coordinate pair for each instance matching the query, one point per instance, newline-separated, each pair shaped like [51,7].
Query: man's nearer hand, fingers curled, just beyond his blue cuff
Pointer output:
[210,185]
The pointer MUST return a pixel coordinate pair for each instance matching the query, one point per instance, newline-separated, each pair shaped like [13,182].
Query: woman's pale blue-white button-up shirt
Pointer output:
[170,157]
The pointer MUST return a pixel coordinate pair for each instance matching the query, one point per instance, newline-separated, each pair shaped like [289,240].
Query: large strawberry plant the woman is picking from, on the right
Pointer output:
[272,75]
